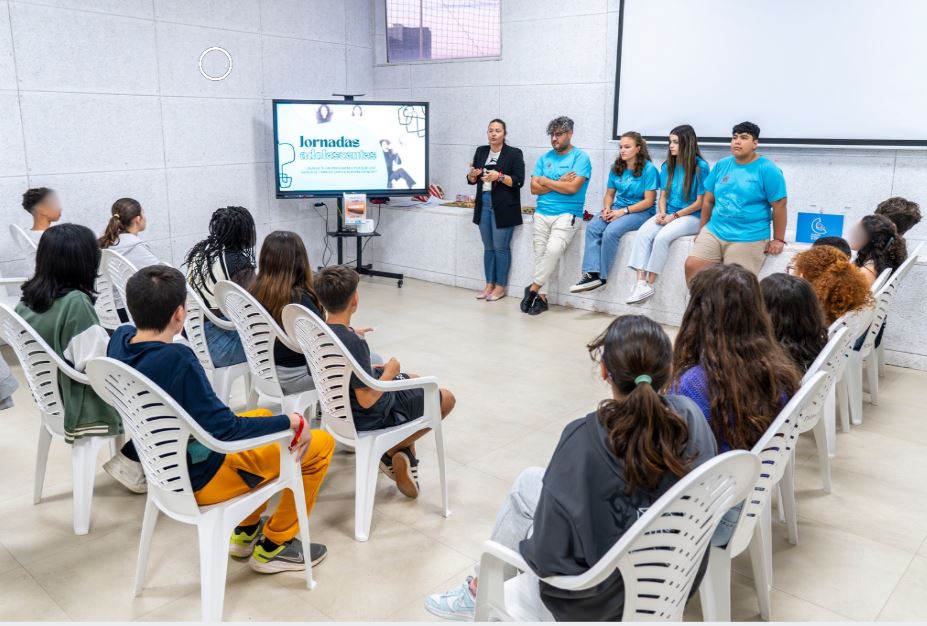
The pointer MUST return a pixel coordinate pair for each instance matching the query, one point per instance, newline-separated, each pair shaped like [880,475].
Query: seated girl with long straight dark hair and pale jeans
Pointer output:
[682,180]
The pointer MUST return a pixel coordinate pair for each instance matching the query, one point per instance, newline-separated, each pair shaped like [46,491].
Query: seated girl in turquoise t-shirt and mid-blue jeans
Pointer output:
[628,203]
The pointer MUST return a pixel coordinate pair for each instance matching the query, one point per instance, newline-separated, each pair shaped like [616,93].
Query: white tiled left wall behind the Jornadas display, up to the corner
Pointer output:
[103,98]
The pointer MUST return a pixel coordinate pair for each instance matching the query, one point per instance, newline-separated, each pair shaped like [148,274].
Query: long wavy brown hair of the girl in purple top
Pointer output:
[727,331]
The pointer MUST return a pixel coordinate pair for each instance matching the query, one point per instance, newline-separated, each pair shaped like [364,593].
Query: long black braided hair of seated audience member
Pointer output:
[230,228]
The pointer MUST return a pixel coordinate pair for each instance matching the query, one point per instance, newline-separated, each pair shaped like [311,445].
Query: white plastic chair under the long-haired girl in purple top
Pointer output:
[754,527]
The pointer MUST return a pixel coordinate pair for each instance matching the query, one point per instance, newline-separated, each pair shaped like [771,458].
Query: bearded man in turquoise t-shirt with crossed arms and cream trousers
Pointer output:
[560,179]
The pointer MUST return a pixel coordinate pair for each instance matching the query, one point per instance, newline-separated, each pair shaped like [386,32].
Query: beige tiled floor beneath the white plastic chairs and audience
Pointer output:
[862,553]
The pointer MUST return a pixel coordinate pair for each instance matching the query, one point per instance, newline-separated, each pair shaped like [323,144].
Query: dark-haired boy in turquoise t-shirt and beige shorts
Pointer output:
[743,194]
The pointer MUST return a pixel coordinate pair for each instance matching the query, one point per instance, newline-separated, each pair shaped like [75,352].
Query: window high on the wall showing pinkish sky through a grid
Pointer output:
[425,30]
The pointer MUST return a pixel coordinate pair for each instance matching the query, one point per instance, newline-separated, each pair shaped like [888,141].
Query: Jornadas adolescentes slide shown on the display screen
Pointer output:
[326,148]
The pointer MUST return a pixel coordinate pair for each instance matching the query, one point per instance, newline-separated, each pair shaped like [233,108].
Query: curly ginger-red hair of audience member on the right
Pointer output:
[839,285]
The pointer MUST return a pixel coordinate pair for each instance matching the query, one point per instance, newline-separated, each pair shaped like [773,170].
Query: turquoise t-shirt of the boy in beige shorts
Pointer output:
[743,197]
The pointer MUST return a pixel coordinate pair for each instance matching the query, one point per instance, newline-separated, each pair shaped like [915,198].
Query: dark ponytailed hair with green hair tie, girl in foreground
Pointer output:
[643,431]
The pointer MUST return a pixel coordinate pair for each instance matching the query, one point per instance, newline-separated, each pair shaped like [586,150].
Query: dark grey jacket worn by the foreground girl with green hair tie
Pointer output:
[585,508]
